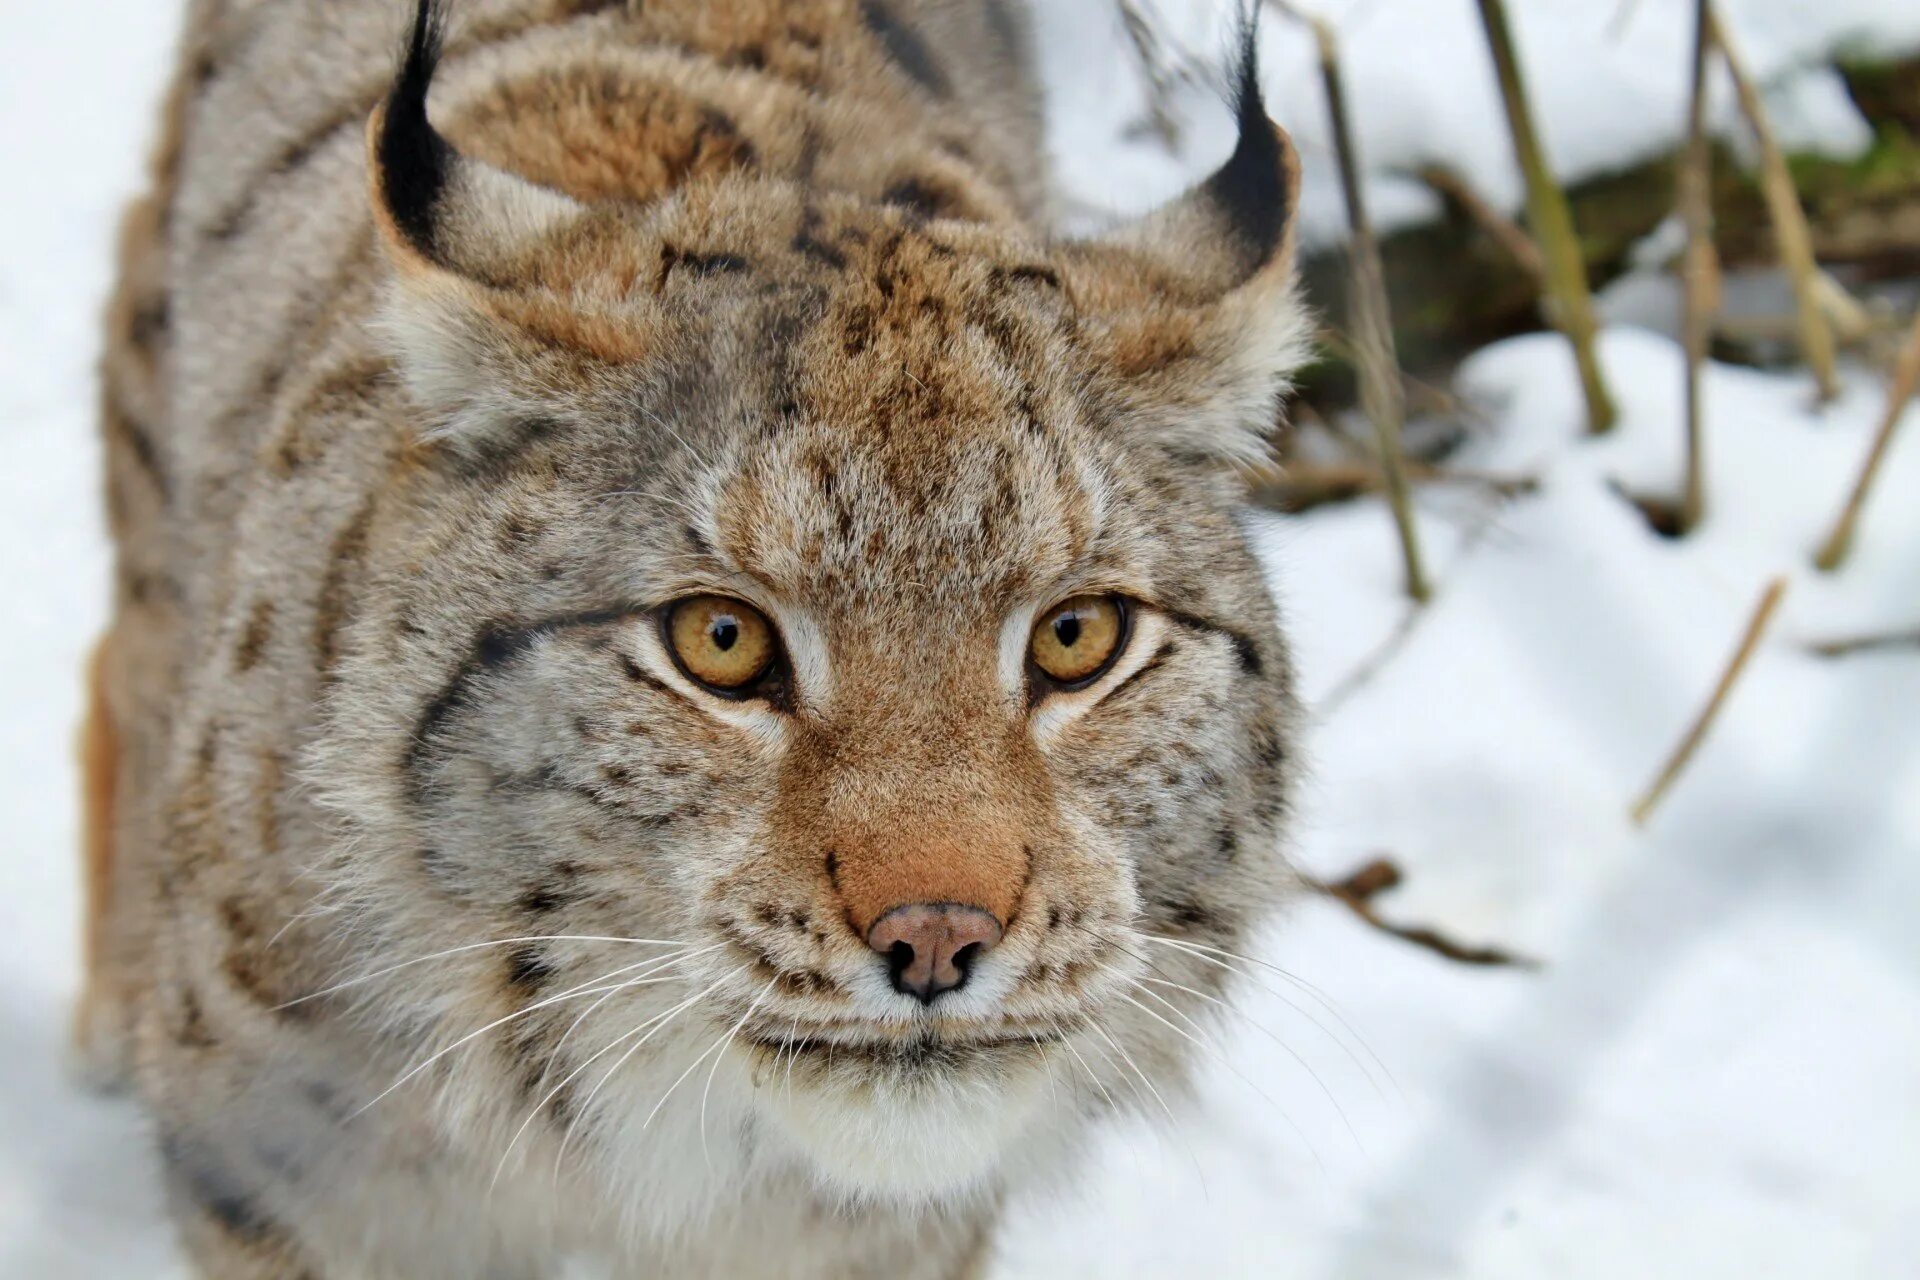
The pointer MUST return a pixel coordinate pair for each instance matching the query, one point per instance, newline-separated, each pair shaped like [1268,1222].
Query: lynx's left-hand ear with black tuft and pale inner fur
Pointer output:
[439,210]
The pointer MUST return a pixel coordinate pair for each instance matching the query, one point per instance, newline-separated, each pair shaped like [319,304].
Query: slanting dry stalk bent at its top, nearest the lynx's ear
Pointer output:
[1381,392]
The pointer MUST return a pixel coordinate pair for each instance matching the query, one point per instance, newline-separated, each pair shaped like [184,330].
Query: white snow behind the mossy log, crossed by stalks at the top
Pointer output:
[1608,83]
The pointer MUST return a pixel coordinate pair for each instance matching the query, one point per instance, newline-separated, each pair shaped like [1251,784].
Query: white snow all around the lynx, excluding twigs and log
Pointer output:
[1716,1072]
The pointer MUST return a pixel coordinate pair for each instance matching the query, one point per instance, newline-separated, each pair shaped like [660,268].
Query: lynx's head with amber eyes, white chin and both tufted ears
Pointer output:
[844,588]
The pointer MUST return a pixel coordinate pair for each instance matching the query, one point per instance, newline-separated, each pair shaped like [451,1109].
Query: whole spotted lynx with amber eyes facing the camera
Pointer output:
[686,682]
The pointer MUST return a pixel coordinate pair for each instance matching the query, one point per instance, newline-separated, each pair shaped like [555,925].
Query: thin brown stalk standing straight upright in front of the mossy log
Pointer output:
[1700,275]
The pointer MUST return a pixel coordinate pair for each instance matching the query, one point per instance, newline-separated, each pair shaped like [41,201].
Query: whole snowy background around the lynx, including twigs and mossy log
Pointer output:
[1596,527]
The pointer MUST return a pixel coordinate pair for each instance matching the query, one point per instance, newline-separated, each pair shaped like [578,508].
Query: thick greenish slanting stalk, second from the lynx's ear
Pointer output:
[1552,222]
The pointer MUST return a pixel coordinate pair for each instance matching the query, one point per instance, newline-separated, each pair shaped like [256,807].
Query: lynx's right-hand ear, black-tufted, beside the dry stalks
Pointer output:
[1199,300]
